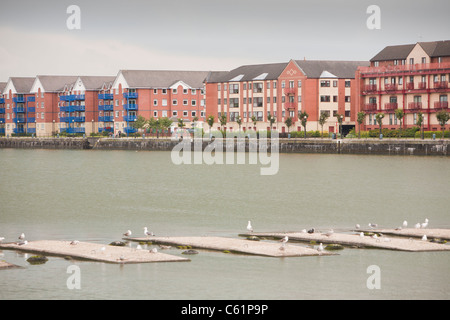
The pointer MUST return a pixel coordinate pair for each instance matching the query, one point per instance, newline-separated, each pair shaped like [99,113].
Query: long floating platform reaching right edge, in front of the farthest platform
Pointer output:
[355,240]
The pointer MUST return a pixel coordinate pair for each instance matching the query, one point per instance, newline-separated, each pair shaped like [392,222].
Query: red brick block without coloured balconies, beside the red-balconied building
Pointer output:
[282,90]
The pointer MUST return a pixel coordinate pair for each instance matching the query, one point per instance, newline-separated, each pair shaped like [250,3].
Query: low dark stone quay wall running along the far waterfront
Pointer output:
[325,146]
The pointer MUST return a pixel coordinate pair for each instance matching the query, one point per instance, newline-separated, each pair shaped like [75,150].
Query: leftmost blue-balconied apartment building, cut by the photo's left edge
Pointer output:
[19,105]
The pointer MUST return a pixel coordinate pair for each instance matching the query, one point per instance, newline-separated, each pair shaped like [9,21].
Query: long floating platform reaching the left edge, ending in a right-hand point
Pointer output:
[92,251]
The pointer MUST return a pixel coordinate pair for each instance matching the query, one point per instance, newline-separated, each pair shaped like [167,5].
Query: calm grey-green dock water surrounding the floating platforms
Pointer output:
[97,195]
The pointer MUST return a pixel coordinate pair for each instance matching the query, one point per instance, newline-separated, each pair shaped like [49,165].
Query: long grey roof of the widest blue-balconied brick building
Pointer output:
[163,79]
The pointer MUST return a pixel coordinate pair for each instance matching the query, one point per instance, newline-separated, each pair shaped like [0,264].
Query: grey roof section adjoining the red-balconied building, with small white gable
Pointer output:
[339,69]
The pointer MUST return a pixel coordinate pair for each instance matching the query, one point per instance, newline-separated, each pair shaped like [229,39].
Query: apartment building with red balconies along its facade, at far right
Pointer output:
[412,77]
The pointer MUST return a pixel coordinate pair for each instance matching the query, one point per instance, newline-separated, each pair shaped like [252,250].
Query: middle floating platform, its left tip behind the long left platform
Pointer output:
[261,248]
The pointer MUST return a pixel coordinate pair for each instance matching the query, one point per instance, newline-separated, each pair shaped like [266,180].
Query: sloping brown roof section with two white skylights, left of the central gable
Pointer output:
[250,73]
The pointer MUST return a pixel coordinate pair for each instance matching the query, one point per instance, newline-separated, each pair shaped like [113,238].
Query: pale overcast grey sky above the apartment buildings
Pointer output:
[203,34]
